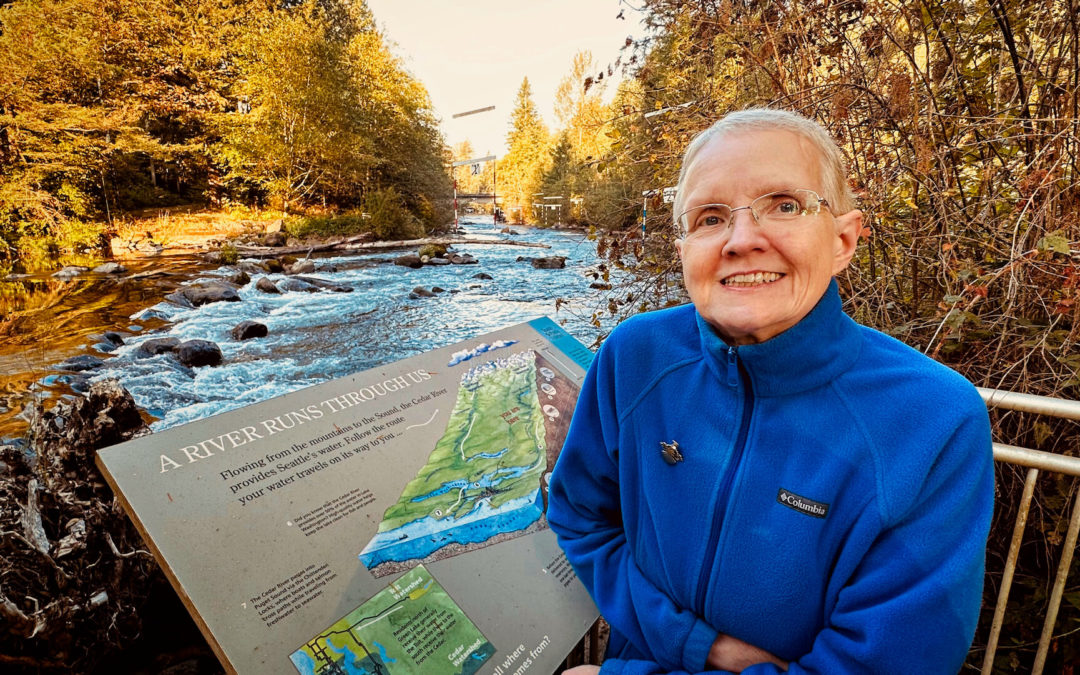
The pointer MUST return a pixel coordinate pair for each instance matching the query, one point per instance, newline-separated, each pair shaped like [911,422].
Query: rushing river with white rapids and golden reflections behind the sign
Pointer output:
[313,336]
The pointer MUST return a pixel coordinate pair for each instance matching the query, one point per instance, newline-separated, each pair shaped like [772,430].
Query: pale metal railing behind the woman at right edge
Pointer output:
[1036,462]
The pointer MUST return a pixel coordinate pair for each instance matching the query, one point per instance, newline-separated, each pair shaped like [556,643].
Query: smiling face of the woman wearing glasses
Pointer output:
[753,282]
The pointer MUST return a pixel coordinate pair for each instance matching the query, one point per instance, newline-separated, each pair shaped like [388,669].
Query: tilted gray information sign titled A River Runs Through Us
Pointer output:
[389,522]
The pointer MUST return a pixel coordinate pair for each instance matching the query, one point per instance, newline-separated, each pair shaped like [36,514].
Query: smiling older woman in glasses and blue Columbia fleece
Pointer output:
[755,483]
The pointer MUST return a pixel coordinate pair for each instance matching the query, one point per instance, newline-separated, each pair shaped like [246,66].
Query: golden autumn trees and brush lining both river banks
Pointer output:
[960,119]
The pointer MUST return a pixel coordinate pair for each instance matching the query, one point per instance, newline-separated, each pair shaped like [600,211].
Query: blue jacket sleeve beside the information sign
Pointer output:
[584,510]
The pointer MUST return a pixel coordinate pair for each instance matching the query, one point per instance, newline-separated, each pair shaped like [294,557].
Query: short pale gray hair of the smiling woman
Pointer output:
[833,168]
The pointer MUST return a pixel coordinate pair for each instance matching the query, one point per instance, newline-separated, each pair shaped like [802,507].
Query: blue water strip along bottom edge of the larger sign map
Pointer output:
[427,535]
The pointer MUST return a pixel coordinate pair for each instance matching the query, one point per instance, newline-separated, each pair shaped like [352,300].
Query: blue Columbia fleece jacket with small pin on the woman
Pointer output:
[832,505]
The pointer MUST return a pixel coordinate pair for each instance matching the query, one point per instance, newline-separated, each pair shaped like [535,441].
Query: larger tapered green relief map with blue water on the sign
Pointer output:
[483,481]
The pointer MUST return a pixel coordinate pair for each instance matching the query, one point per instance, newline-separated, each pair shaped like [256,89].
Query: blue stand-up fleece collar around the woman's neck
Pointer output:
[809,355]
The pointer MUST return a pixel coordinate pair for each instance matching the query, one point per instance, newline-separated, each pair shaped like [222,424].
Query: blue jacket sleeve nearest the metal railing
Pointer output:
[912,604]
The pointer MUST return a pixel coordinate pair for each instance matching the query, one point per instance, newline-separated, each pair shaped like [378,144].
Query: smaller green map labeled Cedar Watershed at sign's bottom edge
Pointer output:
[410,627]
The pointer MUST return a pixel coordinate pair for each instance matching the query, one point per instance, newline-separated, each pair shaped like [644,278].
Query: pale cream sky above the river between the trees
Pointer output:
[475,53]
